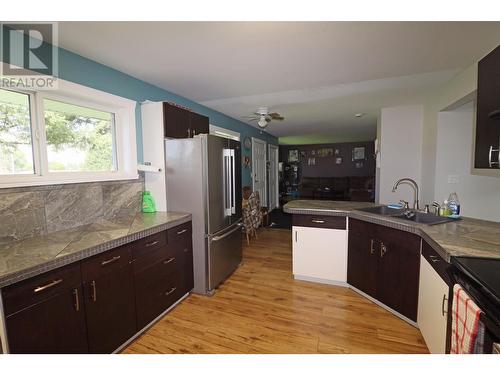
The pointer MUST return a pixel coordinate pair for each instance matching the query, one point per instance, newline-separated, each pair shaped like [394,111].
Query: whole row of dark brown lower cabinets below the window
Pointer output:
[96,305]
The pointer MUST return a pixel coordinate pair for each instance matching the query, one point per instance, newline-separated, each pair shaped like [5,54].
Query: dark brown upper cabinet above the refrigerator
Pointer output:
[181,123]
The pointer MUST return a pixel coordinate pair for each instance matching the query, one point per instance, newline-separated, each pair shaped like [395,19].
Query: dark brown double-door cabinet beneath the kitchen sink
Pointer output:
[385,263]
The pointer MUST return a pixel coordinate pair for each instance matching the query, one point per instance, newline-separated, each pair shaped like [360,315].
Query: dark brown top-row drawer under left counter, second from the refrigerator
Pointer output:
[150,250]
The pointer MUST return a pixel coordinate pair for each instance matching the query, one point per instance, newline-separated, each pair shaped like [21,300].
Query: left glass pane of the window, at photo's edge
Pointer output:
[16,144]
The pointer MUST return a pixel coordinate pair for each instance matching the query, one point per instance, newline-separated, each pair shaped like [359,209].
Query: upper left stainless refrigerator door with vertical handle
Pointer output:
[219,217]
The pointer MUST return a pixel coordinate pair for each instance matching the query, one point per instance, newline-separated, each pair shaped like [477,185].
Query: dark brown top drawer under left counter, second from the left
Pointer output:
[104,263]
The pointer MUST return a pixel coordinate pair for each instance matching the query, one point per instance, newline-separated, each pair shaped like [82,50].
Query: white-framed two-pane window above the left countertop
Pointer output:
[73,134]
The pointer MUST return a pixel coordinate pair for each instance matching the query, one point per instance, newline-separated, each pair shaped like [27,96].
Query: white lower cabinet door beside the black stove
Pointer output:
[432,306]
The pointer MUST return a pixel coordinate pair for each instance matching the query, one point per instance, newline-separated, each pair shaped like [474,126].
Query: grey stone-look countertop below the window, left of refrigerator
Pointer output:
[23,259]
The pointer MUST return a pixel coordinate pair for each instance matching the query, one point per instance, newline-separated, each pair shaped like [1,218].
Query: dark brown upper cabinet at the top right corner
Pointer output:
[488,112]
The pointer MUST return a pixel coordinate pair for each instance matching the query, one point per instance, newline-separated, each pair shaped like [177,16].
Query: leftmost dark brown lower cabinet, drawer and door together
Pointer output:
[46,314]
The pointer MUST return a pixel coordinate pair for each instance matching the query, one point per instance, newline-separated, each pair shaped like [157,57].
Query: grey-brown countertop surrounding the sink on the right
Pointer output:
[465,237]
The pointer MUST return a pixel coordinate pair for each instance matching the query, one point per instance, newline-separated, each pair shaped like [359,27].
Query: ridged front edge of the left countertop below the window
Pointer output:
[18,276]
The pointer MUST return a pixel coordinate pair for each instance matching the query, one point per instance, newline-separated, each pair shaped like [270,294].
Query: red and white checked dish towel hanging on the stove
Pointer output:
[465,322]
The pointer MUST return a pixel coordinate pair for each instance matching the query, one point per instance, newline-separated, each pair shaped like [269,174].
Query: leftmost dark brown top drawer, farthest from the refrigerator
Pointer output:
[40,288]
